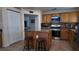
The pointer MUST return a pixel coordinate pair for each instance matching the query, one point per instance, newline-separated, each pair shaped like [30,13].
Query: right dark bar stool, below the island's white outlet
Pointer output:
[41,44]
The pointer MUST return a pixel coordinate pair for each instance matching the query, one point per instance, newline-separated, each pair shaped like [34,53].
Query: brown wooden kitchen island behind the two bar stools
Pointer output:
[45,33]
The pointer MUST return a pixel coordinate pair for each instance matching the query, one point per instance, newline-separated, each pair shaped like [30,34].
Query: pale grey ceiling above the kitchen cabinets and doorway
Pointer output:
[46,9]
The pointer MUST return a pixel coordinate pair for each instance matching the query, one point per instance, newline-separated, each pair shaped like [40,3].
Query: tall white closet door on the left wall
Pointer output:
[13,26]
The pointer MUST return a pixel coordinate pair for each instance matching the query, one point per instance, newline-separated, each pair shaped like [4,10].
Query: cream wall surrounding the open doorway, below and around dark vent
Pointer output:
[39,18]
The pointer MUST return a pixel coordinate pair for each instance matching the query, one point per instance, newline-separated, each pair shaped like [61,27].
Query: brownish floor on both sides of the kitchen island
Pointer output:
[57,45]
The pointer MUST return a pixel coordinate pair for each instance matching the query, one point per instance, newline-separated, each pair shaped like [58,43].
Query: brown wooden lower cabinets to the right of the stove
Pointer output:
[68,35]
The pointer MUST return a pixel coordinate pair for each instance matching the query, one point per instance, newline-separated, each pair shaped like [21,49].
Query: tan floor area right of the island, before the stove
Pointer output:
[60,45]
